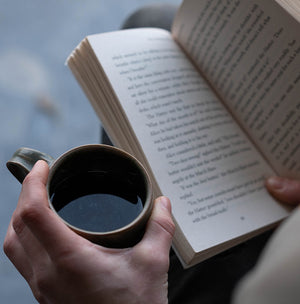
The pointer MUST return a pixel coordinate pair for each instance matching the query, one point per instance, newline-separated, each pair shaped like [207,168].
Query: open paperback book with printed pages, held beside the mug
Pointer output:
[210,109]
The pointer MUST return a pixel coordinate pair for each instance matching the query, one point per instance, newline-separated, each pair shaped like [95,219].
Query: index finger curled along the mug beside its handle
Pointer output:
[33,208]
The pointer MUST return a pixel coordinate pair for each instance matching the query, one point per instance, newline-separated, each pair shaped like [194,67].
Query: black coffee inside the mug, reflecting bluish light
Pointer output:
[96,202]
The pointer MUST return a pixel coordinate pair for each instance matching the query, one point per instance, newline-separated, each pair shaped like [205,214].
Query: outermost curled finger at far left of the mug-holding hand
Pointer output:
[15,252]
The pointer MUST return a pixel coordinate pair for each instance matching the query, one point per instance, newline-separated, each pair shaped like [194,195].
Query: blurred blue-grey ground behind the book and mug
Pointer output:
[41,105]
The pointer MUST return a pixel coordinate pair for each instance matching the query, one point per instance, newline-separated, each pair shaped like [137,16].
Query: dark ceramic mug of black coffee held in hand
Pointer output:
[101,192]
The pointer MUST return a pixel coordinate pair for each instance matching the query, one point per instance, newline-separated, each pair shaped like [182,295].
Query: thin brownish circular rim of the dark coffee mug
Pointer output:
[147,206]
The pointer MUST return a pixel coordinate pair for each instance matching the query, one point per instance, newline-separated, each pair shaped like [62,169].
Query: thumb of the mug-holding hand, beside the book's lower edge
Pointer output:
[160,230]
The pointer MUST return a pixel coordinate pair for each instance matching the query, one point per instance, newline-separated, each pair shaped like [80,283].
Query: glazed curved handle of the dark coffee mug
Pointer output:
[23,161]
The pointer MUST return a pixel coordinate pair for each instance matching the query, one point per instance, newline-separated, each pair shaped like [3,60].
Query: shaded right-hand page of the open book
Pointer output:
[250,53]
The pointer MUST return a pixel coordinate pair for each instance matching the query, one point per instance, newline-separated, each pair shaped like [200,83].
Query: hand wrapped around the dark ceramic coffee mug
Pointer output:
[62,267]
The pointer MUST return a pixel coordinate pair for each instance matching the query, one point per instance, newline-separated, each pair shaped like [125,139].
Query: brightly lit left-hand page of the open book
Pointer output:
[197,153]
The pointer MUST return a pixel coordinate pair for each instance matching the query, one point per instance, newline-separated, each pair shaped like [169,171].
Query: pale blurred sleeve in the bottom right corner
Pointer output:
[276,277]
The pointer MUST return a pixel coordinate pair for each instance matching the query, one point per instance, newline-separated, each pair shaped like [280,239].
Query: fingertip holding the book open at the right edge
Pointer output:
[285,190]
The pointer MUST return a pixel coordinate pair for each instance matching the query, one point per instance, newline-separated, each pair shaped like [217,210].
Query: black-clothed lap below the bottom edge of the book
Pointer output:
[213,281]
